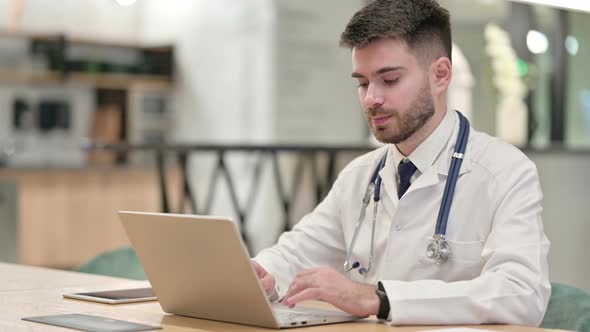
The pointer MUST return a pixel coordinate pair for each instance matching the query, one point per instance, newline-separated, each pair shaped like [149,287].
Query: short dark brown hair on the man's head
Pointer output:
[423,24]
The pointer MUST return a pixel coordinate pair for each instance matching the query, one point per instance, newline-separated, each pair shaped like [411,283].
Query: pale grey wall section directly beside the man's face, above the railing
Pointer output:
[316,97]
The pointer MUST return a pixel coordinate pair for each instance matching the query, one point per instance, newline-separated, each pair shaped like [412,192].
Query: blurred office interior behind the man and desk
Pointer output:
[247,109]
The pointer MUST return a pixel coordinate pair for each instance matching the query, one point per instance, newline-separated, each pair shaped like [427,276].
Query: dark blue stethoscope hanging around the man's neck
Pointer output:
[438,249]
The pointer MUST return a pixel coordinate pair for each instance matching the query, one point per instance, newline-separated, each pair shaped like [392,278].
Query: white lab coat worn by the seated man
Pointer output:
[497,272]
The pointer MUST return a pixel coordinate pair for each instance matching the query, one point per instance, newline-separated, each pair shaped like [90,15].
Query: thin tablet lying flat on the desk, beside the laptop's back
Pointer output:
[116,296]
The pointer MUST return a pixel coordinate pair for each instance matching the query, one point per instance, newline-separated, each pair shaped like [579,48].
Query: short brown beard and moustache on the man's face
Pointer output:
[403,124]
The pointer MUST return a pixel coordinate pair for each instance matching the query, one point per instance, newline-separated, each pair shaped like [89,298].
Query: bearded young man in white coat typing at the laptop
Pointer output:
[497,268]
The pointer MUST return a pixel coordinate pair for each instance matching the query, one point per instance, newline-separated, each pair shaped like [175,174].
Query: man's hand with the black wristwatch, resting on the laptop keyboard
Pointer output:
[328,285]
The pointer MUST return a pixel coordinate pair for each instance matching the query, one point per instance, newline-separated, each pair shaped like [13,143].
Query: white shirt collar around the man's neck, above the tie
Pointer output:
[424,156]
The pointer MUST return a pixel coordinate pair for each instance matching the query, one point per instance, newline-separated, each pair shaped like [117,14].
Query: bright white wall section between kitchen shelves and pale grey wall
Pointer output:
[223,54]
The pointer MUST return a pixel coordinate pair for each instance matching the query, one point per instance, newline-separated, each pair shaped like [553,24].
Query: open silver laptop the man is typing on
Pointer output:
[199,267]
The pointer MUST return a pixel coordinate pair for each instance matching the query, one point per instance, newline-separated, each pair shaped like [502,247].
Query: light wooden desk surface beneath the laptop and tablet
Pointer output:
[32,291]
